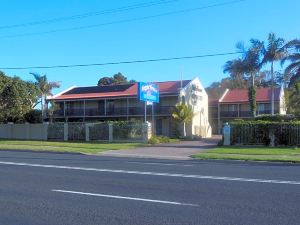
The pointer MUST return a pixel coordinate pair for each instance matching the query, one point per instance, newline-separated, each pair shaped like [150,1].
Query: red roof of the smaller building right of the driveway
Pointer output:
[241,95]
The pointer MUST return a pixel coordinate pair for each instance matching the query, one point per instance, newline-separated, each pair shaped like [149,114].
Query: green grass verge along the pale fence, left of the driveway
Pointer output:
[59,146]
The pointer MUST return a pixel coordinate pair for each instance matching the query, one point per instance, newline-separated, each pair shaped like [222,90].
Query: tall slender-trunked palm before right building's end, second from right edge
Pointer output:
[274,51]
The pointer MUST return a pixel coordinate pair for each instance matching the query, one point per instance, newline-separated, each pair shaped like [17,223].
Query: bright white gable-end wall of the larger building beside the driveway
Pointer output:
[196,96]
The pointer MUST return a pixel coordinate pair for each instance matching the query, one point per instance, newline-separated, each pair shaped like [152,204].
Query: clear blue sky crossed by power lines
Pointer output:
[199,32]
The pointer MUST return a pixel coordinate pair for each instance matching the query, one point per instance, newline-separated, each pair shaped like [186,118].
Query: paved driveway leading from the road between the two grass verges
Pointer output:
[179,150]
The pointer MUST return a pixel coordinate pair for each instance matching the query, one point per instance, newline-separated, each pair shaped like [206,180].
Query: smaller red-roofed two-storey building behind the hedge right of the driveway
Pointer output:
[234,104]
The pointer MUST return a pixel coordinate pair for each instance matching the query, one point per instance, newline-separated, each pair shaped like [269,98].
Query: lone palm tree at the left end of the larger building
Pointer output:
[45,89]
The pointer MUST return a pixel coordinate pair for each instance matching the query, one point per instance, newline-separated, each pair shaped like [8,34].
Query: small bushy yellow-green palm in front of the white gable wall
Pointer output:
[184,114]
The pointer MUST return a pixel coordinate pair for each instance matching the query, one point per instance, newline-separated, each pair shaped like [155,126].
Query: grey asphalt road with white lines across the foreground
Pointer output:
[47,188]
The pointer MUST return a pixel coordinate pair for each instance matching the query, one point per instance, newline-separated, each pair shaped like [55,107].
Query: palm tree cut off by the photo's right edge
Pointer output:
[293,56]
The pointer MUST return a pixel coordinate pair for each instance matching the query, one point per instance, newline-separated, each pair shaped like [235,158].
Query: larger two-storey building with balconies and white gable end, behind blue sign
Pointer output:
[120,102]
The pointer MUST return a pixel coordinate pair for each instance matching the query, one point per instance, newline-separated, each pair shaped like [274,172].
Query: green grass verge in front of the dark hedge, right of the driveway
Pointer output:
[252,153]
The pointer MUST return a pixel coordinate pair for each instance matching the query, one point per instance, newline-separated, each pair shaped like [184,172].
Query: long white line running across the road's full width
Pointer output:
[156,173]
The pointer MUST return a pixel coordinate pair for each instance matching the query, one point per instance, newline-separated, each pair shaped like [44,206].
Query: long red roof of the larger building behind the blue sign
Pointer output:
[120,90]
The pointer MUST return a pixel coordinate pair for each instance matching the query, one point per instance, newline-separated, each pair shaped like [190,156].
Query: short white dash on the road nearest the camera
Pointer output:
[127,198]
